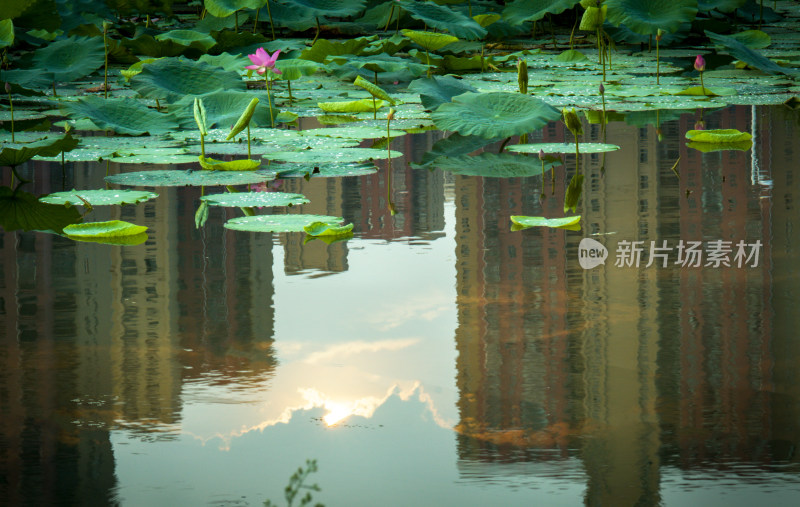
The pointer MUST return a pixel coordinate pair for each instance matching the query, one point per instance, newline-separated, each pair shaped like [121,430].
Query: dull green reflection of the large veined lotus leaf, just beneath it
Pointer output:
[493,165]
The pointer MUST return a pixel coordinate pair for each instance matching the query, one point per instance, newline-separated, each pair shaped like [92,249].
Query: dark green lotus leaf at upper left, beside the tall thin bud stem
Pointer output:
[70,59]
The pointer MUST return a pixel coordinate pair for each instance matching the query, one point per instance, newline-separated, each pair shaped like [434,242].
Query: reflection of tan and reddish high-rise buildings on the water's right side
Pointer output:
[654,367]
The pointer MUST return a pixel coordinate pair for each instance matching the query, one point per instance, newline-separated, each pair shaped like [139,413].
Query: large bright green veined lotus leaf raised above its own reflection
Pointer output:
[490,115]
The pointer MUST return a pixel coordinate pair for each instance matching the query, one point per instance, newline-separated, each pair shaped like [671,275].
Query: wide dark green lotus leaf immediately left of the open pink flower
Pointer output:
[174,78]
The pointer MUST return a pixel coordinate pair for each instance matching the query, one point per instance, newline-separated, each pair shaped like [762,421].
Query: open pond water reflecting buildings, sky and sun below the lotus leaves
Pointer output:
[437,358]
